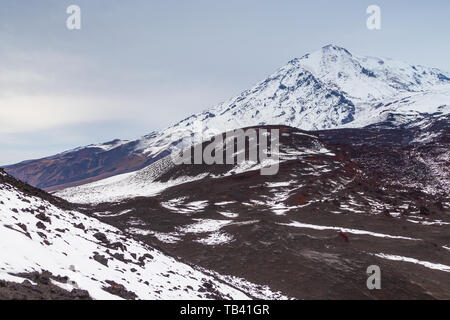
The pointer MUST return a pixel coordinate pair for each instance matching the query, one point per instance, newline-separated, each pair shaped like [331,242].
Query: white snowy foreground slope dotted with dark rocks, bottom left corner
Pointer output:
[81,252]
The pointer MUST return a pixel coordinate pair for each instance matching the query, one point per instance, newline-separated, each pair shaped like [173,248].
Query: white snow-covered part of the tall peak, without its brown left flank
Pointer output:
[330,88]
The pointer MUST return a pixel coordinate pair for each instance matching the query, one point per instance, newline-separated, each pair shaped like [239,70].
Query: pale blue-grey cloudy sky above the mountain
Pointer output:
[138,66]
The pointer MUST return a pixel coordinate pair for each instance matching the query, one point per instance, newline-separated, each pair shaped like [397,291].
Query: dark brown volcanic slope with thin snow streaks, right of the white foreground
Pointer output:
[344,200]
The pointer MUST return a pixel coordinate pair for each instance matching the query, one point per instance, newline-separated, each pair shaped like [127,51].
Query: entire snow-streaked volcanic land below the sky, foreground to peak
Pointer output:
[363,181]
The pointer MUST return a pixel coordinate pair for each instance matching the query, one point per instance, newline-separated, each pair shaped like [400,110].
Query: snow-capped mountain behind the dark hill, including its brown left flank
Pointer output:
[330,88]
